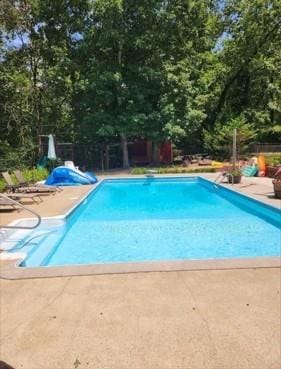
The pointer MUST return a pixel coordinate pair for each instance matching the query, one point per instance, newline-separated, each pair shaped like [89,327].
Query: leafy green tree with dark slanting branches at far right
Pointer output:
[247,68]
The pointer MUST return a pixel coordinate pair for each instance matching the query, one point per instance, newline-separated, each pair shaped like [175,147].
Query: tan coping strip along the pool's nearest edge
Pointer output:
[11,272]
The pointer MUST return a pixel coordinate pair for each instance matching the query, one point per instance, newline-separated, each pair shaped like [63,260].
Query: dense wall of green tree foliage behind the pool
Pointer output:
[108,71]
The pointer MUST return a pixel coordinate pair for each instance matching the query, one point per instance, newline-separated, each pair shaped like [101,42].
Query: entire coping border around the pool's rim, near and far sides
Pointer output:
[12,270]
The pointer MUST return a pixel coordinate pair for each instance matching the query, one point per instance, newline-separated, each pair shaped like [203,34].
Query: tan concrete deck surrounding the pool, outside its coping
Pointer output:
[219,319]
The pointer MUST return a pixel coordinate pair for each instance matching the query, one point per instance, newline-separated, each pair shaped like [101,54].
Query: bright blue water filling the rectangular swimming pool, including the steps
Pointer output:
[158,219]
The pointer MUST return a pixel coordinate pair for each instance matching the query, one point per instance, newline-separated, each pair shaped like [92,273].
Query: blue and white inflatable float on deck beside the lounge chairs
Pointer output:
[65,176]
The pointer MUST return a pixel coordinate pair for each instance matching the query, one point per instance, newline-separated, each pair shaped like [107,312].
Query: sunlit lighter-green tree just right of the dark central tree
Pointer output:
[192,30]
